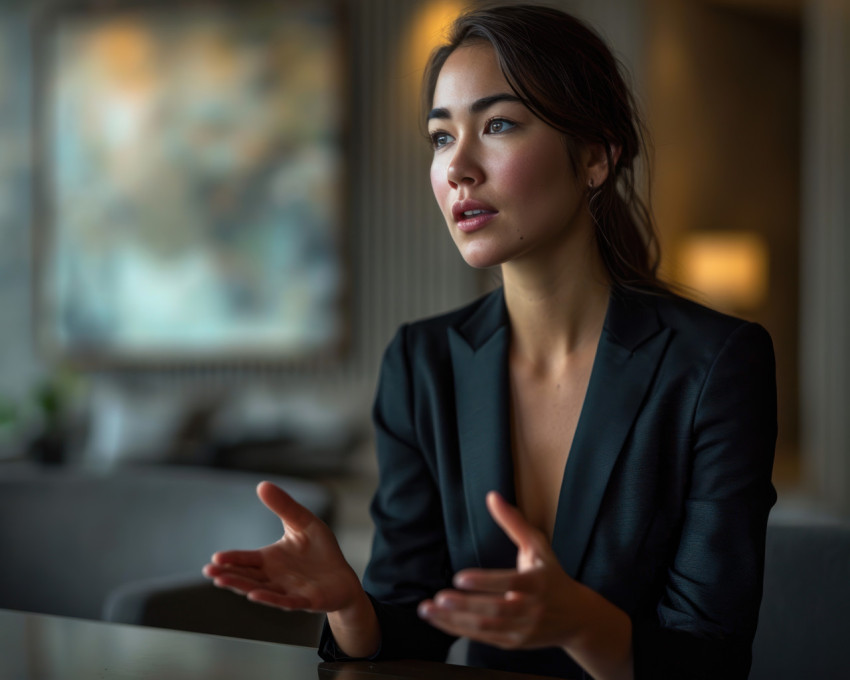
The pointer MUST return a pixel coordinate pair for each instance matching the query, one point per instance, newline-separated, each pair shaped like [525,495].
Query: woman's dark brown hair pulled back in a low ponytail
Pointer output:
[568,77]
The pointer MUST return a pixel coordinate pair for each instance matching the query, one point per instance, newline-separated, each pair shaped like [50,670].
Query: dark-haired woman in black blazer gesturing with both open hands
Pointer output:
[575,469]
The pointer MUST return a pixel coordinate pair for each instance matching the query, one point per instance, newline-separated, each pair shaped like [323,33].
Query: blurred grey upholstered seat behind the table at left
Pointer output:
[128,545]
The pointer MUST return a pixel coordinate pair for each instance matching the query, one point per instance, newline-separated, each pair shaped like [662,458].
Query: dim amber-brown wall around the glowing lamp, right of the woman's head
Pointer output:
[725,90]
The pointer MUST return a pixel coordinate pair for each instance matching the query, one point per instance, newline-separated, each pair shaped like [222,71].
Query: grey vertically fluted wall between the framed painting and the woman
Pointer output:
[404,265]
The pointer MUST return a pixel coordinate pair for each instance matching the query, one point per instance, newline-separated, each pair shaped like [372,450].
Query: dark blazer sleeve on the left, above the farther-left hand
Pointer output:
[409,560]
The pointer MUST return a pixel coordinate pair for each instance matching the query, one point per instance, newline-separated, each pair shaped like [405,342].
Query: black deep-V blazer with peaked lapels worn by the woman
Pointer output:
[665,494]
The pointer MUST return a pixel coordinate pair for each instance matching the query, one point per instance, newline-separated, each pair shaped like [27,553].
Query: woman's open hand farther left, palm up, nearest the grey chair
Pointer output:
[305,569]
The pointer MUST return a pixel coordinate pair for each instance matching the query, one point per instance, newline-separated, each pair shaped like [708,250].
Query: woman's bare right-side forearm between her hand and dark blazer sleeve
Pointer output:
[602,644]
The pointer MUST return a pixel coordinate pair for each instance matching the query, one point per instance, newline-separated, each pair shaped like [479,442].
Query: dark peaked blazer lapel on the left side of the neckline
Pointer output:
[479,350]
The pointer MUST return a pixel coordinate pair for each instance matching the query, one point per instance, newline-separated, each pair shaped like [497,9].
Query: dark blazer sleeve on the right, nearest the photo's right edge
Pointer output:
[707,617]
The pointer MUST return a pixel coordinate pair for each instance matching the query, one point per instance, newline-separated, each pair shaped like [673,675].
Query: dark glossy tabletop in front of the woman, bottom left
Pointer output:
[41,647]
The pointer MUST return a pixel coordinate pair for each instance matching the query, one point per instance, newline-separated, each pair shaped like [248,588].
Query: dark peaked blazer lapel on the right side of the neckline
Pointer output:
[630,348]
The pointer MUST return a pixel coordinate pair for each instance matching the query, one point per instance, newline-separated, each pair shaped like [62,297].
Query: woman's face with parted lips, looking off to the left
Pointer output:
[501,176]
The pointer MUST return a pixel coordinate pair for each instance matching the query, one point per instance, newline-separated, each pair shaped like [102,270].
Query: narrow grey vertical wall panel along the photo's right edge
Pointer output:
[825,246]
